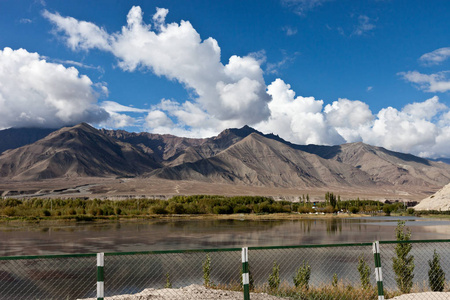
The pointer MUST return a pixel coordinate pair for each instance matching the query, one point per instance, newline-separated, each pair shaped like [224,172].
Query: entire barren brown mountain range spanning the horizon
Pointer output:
[237,156]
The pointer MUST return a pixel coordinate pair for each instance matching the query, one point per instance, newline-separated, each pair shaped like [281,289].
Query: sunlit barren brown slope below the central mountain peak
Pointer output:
[257,160]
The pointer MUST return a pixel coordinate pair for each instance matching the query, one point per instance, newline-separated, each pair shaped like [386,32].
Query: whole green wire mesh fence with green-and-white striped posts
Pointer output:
[343,271]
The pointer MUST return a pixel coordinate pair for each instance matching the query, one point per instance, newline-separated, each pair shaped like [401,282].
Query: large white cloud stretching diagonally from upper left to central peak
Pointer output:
[234,93]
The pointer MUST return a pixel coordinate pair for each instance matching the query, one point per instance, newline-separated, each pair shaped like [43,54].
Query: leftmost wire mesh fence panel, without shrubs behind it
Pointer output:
[48,278]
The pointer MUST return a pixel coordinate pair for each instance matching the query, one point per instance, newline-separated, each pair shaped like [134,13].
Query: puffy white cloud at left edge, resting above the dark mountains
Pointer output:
[37,93]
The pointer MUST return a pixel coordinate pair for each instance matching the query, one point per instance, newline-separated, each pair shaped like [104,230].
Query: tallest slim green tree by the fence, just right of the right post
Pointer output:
[403,263]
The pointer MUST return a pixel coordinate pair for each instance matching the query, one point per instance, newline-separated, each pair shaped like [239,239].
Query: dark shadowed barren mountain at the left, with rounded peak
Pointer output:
[74,151]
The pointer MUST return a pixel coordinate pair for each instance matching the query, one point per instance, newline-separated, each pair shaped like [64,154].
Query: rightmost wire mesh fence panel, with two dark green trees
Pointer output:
[411,267]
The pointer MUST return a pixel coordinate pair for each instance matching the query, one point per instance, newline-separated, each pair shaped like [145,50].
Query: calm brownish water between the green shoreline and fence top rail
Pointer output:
[35,239]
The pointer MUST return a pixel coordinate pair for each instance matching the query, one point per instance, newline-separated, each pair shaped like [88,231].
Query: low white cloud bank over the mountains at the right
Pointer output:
[422,128]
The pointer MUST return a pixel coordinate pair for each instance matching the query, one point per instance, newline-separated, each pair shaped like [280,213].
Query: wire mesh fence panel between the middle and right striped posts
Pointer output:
[314,272]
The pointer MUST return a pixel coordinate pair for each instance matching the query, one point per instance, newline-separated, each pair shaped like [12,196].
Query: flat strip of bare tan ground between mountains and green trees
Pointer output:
[123,188]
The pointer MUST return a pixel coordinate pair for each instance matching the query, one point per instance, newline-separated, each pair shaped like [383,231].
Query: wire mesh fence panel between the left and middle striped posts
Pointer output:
[153,274]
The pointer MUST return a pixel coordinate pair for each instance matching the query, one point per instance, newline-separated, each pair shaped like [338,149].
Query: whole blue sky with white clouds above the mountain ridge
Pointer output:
[312,71]
